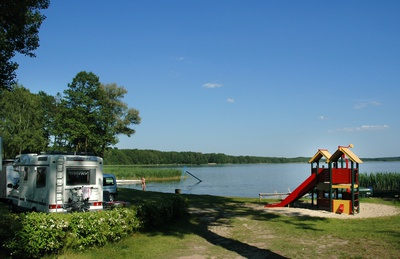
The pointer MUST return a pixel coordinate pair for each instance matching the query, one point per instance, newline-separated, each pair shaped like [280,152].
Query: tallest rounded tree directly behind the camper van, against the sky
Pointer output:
[92,114]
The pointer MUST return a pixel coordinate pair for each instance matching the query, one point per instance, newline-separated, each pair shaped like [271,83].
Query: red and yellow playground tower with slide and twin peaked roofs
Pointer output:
[336,187]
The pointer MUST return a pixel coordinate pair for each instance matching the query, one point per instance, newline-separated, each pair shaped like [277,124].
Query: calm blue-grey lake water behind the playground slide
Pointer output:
[249,180]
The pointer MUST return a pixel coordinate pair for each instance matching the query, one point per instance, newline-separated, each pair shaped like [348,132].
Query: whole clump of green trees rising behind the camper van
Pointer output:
[87,119]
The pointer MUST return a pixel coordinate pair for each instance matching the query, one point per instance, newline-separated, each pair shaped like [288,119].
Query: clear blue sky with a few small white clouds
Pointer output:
[259,78]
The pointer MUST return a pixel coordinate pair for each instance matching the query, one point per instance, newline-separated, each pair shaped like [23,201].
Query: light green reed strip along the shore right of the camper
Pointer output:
[150,173]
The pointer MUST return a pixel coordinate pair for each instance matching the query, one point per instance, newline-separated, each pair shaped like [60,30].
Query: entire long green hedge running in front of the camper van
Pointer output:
[37,234]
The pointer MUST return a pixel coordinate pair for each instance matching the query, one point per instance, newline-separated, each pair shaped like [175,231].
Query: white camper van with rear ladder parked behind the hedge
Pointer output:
[57,183]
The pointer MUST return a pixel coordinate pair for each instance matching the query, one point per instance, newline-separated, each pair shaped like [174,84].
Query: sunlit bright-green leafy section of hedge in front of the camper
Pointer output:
[42,233]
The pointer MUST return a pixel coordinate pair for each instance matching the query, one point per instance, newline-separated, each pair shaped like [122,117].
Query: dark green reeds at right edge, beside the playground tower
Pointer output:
[381,181]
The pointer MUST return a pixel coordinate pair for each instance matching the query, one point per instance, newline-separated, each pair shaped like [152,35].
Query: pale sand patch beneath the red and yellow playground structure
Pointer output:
[367,210]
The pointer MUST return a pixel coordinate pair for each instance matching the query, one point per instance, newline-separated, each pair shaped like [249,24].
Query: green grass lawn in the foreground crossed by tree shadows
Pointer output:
[223,227]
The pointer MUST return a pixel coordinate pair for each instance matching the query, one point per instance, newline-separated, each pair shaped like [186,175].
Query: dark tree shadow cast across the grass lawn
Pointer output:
[209,212]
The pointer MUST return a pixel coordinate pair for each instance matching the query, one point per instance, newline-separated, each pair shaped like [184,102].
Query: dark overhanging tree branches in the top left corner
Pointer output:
[20,21]
